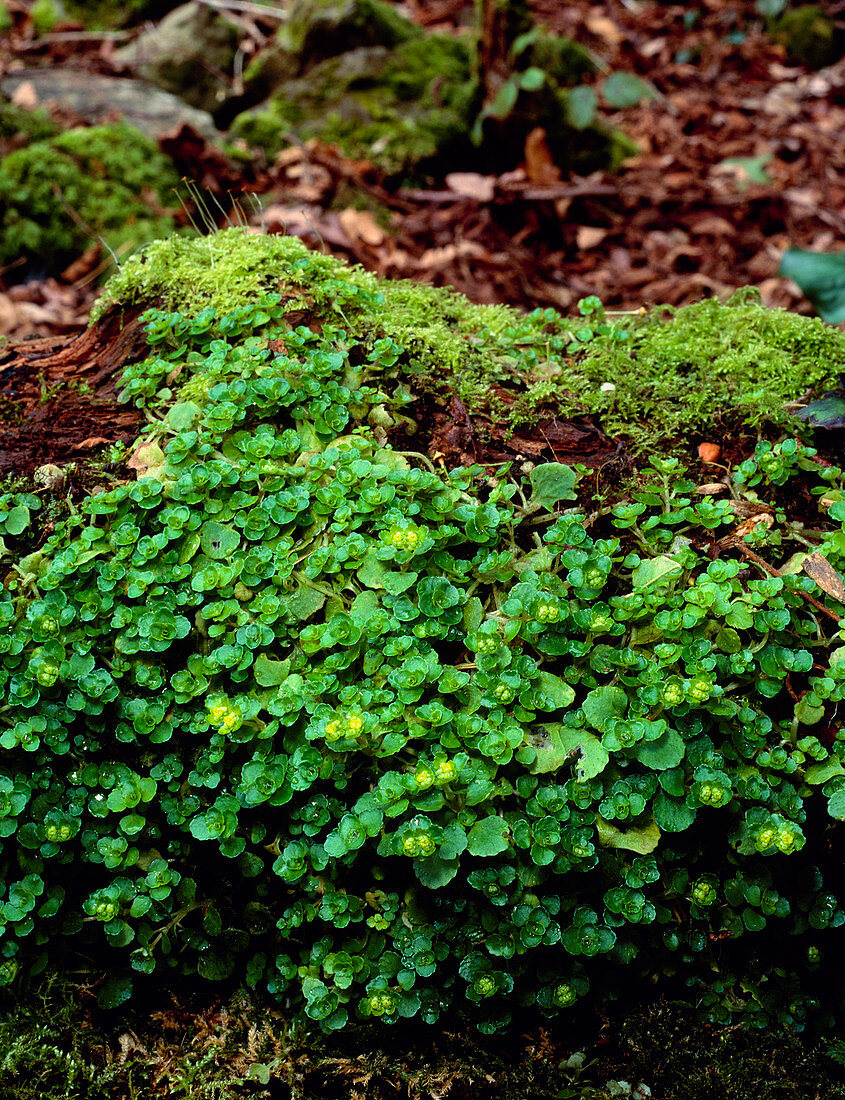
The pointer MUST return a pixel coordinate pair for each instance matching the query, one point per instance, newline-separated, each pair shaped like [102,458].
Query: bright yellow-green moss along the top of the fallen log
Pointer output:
[677,373]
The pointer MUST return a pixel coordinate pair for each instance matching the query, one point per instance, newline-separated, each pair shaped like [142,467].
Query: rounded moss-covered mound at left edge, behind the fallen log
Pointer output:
[59,194]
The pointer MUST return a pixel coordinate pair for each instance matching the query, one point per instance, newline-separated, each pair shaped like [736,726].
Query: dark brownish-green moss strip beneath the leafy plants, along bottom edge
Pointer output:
[54,1049]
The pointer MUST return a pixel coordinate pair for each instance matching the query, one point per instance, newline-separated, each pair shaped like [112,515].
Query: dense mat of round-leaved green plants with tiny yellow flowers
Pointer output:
[386,741]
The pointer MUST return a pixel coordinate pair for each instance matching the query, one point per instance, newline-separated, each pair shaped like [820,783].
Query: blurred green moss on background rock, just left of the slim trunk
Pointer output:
[400,106]
